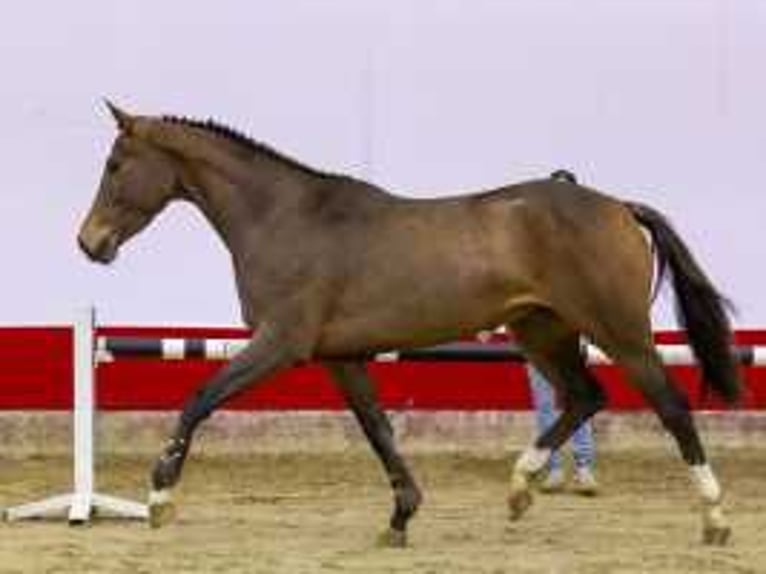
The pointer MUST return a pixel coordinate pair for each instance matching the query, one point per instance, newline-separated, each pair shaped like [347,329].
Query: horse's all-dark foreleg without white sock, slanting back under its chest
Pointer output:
[354,382]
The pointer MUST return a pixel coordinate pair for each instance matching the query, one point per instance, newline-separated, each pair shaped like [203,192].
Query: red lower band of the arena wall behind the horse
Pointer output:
[36,373]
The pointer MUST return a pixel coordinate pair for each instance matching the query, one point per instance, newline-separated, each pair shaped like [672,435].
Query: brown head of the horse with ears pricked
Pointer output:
[139,179]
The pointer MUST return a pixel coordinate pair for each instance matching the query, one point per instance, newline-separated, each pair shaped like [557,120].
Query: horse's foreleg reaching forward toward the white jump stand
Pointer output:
[264,355]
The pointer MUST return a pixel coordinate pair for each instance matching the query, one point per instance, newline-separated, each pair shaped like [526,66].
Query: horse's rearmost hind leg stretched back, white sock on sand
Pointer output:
[645,370]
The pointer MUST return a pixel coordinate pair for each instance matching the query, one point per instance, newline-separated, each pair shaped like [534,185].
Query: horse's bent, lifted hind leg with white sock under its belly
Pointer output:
[554,349]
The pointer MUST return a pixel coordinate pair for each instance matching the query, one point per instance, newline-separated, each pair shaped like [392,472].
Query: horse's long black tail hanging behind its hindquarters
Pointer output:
[700,308]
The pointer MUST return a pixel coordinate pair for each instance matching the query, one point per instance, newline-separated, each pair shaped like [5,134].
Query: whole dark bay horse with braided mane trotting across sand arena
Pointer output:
[332,269]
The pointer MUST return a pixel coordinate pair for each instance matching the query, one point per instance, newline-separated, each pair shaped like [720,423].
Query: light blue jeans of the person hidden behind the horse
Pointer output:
[544,401]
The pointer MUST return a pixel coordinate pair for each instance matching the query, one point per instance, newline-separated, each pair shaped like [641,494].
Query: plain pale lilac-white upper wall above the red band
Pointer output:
[660,100]
